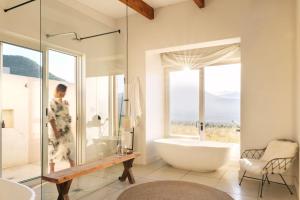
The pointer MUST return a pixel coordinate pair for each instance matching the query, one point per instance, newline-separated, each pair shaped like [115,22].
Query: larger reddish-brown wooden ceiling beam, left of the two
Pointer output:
[141,7]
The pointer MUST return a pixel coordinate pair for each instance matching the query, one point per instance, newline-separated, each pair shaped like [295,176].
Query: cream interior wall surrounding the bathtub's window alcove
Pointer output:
[267,33]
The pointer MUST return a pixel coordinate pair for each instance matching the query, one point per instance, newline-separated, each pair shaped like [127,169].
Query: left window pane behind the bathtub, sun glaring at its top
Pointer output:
[184,102]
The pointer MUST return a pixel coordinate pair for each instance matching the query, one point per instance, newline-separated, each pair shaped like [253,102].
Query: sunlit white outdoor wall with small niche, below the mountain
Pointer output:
[15,140]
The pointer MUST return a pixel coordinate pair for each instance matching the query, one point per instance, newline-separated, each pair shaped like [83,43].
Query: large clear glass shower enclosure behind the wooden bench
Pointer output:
[43,44]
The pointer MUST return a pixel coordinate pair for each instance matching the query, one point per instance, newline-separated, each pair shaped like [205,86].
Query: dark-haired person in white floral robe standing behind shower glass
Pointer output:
[61,143]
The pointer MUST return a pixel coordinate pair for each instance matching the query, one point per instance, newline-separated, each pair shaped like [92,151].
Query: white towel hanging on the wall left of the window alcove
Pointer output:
[134,104]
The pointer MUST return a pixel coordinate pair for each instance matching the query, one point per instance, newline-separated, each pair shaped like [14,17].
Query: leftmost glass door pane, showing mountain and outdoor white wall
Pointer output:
[21,119]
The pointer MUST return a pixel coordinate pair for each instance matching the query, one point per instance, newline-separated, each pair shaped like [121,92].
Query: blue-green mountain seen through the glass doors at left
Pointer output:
[23,66]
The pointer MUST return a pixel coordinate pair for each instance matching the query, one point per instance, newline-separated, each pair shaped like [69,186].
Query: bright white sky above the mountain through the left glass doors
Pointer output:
[60,65]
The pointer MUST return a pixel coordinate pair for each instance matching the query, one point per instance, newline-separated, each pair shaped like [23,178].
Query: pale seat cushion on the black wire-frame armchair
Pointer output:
[253,166]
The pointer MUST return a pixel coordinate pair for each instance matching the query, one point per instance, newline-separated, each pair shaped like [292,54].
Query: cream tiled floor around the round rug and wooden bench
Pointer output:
[104,185]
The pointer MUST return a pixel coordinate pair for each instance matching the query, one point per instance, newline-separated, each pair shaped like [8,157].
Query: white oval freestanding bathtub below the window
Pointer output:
[192,154]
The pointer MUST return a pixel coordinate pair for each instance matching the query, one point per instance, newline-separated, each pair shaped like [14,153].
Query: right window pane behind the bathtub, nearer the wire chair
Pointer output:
[222,103]
